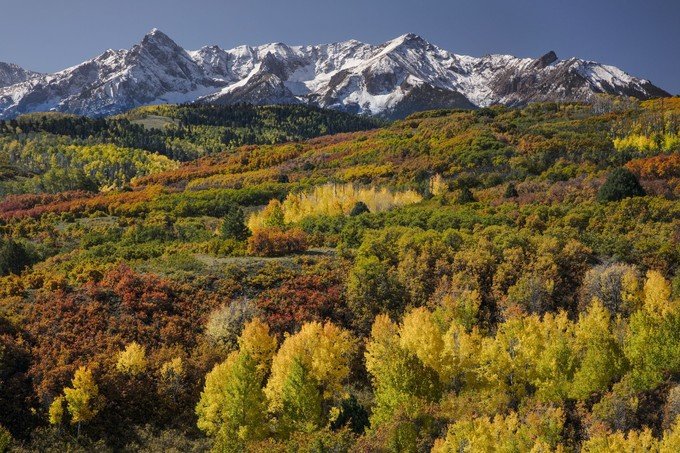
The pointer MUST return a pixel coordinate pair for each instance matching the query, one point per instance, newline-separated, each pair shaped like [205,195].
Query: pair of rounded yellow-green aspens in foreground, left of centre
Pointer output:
[305,375]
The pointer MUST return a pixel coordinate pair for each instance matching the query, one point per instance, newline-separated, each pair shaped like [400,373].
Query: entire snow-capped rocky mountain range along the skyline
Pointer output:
[393,79]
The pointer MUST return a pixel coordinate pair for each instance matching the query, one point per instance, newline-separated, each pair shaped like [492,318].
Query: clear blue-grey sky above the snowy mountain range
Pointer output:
[641,37]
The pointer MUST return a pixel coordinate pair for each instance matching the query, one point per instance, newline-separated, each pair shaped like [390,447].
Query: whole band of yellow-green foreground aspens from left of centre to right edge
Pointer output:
[502,389]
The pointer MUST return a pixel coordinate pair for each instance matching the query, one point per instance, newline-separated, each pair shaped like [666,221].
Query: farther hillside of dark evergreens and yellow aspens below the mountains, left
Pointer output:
[54,152]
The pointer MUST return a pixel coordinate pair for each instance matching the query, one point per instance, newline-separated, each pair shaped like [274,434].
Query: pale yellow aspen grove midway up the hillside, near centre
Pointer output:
[332,200]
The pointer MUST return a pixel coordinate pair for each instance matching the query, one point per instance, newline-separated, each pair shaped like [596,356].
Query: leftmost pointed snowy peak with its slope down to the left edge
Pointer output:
[154,71]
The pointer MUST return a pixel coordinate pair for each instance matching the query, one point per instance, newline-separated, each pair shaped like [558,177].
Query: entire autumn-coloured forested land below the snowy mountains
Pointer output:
[184,278]
